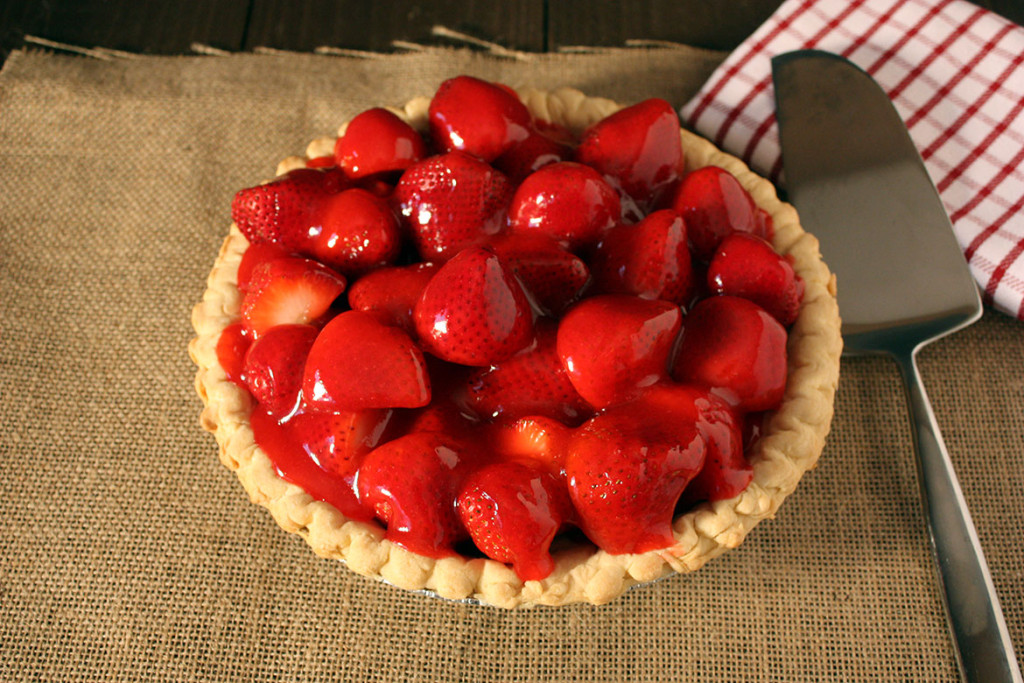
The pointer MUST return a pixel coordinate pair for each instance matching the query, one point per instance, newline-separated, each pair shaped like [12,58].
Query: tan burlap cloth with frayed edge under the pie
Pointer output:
[127,552]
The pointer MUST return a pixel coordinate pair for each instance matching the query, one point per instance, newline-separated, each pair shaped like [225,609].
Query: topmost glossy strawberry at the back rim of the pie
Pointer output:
[481,118]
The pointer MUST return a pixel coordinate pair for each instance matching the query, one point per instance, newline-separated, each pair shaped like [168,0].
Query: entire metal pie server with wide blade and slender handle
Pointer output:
[861,188]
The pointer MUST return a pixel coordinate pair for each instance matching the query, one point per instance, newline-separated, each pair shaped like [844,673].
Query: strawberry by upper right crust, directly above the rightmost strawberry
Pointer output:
[714,206]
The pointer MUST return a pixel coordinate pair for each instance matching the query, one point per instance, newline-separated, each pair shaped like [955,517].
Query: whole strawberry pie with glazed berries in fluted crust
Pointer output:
[520,348]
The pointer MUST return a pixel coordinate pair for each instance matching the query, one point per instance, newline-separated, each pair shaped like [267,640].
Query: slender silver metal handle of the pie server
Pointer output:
[985,652]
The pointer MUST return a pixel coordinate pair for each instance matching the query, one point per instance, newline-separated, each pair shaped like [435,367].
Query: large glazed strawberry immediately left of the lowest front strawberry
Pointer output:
[411,485]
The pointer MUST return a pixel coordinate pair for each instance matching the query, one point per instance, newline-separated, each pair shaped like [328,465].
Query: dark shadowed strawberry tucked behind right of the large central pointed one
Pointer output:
[553,277]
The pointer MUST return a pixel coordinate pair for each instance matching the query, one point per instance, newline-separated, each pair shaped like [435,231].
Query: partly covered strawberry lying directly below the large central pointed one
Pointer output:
[533,382]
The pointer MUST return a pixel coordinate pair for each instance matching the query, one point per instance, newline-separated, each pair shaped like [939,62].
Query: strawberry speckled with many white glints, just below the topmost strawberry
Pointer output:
[452,201]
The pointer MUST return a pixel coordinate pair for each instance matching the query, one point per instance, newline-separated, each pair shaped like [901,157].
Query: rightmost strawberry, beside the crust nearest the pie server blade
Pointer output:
[747,267]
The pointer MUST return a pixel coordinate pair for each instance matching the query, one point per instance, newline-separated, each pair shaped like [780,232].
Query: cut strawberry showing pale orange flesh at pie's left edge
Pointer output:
[289,291]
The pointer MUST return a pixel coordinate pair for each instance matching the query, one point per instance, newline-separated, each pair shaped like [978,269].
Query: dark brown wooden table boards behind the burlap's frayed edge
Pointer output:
[537,26]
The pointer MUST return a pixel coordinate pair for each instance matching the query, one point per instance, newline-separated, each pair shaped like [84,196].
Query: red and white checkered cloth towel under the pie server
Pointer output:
[956,74]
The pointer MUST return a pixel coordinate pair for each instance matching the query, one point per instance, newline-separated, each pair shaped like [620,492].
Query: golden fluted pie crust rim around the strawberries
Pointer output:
[794,438]
